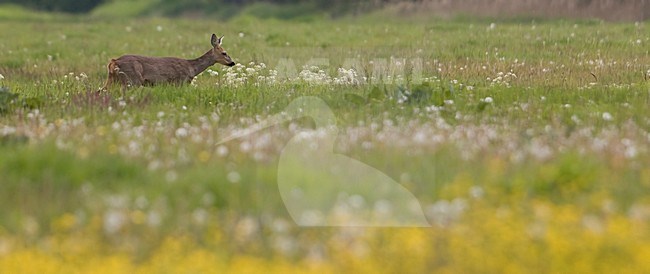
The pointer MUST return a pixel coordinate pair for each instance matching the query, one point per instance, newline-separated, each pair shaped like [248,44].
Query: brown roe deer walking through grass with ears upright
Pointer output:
[135,70]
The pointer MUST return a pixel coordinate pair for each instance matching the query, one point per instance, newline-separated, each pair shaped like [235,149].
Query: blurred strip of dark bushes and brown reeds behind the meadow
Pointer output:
[628,10]
